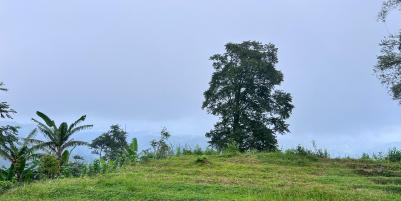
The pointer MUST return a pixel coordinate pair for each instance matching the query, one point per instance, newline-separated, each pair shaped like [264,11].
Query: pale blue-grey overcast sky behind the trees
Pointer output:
[144,64]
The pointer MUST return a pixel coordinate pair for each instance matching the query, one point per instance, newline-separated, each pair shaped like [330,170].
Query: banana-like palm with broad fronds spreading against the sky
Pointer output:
[59,137]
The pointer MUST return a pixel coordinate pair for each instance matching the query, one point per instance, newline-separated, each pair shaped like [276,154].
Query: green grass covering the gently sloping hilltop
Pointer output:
[264,176]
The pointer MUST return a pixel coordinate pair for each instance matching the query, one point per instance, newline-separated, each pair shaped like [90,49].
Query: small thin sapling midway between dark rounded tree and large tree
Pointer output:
[160,147]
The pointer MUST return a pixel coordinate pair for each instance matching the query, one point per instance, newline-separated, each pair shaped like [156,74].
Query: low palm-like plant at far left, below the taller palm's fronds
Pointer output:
[19,153]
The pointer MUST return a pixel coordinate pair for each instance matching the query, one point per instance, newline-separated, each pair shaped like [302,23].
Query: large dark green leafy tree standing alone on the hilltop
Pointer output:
[243,94]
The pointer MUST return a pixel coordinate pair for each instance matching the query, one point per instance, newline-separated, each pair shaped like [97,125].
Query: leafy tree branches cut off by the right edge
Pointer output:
[388,67]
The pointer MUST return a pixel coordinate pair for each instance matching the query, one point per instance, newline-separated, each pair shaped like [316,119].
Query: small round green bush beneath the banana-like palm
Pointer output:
[49,166]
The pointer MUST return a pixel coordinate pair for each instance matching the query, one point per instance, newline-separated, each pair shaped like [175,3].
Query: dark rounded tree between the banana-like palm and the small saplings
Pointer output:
[113,144]
